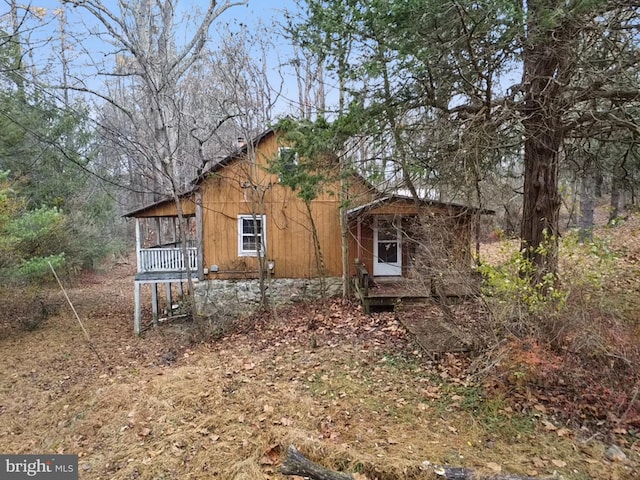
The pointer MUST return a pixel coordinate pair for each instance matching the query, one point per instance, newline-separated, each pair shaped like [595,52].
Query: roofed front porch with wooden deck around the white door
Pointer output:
[408,253]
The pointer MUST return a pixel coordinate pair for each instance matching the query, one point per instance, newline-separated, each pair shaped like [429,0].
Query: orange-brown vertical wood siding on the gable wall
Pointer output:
[244,187]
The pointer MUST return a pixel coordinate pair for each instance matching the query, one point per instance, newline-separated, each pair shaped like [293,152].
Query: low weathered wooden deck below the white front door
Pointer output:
[389,292]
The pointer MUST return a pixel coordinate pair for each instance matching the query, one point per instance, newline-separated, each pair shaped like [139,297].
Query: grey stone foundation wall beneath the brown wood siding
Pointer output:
[241,297]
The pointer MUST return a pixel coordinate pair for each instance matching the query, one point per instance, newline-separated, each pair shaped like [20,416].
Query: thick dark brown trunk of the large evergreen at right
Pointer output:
[547,67]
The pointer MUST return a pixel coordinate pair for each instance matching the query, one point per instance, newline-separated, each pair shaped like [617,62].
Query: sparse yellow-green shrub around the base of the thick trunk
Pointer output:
[547,309]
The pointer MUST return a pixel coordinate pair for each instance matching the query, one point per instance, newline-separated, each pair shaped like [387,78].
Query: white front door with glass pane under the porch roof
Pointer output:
[387,247]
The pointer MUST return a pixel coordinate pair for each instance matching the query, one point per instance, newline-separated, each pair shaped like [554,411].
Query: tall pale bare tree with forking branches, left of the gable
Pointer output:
[151,126]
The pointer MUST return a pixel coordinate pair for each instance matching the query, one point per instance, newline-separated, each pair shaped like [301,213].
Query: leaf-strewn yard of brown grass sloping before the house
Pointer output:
[350,391]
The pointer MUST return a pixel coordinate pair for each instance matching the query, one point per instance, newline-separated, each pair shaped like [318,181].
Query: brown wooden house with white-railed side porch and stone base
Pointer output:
[247,233]
